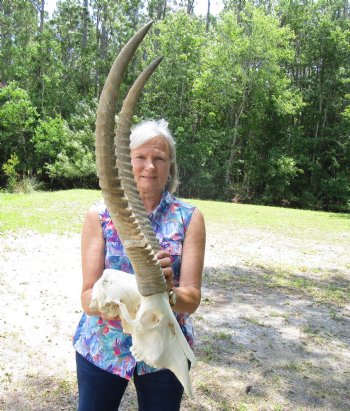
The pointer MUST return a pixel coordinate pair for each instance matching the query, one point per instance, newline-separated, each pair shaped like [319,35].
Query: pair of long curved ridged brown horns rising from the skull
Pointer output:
[134,236]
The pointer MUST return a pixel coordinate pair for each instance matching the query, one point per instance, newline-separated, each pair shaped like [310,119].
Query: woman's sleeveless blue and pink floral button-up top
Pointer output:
[103,342]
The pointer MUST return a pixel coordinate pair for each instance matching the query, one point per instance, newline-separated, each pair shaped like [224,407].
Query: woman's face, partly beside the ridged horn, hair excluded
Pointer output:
[151,165]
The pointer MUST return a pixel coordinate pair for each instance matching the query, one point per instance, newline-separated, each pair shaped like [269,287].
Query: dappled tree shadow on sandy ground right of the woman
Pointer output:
[272,344]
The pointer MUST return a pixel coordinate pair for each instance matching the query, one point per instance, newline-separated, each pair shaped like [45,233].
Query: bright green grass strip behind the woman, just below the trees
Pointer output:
[63,212]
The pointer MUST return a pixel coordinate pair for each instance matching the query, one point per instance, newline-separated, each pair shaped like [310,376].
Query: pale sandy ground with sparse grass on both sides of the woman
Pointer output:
[273,330]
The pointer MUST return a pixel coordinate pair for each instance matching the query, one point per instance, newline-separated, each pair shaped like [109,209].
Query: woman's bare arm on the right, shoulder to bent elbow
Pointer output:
[188,294]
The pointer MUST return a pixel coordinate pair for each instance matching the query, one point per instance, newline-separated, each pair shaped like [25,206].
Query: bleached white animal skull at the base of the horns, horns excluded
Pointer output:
[157,338]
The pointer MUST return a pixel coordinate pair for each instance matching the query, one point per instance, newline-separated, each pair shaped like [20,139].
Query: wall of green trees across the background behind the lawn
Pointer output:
[257,98]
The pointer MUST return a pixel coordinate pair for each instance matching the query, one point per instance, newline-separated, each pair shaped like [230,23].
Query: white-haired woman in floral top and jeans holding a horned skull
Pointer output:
[104,362]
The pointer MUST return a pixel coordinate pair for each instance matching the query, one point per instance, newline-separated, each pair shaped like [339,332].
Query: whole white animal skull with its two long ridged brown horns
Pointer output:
[141,301]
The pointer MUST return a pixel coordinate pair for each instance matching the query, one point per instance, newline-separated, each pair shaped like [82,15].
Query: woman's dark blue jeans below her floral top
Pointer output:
[101,390]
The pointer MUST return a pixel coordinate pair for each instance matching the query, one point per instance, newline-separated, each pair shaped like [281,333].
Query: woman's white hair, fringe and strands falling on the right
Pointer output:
[149,129]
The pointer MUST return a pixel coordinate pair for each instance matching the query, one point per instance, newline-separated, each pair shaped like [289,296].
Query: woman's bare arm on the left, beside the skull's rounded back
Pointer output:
[92,254]
